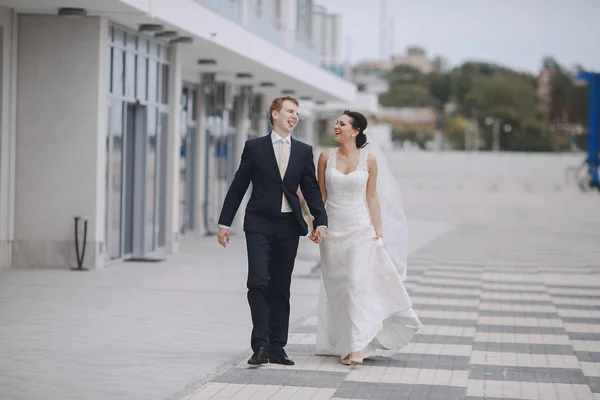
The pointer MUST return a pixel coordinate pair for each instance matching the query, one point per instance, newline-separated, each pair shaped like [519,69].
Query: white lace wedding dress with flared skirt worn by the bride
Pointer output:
[363,304]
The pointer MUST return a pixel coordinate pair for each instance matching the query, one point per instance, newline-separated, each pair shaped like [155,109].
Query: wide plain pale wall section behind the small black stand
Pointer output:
[61,130]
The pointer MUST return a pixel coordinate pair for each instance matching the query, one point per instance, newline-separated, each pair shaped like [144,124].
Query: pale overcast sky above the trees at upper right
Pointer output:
[515,33]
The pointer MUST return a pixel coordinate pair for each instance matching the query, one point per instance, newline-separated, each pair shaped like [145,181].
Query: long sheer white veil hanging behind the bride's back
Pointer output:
[394,224]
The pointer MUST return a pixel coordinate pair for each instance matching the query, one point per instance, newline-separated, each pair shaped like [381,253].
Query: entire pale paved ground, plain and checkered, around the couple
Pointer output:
[509,296]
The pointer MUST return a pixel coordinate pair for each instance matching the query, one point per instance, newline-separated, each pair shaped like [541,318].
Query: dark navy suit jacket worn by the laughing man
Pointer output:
[259,166]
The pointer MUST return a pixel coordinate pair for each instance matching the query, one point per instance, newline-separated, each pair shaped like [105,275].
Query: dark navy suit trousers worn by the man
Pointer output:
[270,265]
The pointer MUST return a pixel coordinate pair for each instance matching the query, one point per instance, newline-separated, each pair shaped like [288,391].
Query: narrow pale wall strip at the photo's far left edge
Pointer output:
[7,133]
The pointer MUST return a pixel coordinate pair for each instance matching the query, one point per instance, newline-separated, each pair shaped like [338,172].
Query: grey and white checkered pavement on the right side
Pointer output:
[503,319]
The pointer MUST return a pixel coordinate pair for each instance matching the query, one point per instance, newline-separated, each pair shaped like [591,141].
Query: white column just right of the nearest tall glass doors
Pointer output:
[173,148]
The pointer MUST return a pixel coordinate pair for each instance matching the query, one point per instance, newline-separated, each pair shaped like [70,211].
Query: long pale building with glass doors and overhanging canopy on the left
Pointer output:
[122,123]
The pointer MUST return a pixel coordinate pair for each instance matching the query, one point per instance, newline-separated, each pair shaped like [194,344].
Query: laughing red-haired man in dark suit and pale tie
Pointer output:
[276,165]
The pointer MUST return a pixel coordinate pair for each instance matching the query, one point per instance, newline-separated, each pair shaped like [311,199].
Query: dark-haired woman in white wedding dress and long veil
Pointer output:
[364,309]
